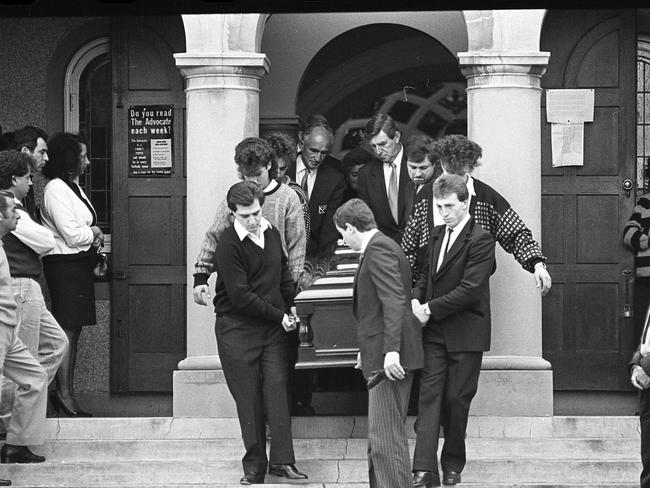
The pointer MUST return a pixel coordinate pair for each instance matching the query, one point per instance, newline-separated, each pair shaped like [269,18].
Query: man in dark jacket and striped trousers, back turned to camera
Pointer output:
[390,340]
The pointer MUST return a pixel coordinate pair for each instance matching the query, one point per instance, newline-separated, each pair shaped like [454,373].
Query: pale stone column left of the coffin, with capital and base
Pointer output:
[222,88]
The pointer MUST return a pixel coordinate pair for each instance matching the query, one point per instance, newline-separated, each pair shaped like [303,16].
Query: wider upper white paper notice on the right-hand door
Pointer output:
[569,106]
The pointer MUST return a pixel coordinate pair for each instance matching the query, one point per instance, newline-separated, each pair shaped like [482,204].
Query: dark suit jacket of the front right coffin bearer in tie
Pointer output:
[458,293]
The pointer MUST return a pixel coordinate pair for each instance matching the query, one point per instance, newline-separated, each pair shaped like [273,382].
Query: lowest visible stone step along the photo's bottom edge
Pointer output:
[482,472]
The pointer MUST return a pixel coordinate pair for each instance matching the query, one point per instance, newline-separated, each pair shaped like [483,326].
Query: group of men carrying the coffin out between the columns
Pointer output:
[425,229]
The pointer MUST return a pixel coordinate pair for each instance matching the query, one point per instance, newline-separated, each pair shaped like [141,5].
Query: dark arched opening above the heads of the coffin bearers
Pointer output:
[384,67]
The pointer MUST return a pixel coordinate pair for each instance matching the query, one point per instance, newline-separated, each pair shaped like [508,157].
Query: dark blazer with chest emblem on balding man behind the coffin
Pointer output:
[325,198]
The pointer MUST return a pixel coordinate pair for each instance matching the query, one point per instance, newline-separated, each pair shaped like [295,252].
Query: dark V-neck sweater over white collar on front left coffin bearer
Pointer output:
[252,281]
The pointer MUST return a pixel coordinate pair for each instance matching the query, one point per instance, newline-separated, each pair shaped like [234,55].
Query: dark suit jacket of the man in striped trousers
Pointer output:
[382,307]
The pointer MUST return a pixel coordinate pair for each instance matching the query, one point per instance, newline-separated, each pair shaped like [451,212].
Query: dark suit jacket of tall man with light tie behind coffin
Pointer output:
[372,190]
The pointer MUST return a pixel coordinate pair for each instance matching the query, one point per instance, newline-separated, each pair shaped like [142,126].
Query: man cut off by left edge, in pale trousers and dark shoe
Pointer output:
[27,424]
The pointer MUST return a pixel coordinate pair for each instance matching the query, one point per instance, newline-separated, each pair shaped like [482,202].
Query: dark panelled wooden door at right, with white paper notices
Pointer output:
[586,337]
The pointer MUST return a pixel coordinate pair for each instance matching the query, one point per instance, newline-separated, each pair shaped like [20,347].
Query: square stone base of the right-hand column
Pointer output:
[512,386]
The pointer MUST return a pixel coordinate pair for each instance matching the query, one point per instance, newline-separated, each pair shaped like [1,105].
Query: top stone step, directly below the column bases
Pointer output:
[149,428]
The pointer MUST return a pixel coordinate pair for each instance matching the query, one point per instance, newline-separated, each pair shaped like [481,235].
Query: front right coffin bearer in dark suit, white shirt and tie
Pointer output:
[454,288]
